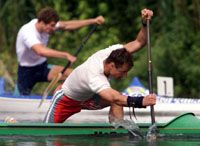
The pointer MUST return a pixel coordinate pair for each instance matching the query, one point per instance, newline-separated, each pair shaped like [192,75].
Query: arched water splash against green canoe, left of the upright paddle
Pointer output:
[131,126]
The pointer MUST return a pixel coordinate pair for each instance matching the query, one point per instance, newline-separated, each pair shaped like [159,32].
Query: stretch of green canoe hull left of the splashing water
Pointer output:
[66,129]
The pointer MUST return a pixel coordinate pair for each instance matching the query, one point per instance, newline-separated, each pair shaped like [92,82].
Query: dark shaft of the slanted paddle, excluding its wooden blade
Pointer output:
[81,46]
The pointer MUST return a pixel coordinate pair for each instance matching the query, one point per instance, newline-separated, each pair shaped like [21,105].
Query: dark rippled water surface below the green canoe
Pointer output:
[92,141]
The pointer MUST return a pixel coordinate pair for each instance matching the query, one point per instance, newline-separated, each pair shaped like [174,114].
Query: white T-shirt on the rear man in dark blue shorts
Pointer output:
[26,38]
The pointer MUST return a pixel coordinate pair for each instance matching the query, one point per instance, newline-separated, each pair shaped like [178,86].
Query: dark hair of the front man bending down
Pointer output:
[120,57]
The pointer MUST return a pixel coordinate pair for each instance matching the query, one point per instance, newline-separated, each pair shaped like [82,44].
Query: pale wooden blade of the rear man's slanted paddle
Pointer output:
[50,88]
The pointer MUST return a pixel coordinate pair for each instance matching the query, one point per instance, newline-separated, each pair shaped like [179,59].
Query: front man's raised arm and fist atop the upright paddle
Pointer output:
[141,38]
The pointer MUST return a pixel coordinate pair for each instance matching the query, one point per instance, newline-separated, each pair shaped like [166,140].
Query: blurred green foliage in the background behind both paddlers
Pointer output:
[174,36]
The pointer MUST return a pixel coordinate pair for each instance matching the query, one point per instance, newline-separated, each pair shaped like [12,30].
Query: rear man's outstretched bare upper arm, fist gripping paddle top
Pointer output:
[75,24]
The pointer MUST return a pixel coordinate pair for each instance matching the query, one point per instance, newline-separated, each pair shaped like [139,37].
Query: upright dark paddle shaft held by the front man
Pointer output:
[150,74]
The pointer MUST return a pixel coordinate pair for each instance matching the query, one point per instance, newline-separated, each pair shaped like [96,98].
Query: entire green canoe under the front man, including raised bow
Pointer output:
[186,124]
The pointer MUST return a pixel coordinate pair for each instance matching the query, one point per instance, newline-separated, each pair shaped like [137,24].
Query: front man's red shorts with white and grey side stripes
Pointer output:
[62,107]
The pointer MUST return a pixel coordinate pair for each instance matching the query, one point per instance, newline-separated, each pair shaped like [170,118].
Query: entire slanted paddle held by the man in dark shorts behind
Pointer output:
[58,77]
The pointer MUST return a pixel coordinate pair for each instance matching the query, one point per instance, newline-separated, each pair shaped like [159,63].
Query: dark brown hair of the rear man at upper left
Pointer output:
[48,15]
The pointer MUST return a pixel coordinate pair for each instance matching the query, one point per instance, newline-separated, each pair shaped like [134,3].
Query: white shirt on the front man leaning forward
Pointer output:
[88,78]
